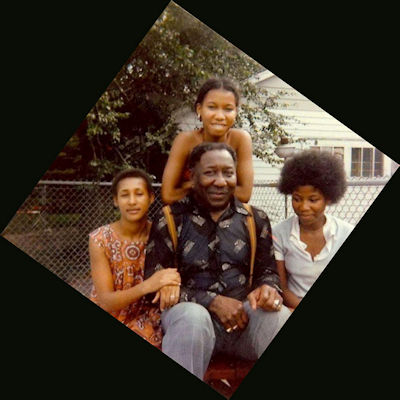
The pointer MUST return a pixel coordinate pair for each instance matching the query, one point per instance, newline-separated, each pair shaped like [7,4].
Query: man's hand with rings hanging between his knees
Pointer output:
[230,312]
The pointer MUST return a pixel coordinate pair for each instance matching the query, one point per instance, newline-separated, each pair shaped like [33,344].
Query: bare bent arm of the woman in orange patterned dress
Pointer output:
[112,300]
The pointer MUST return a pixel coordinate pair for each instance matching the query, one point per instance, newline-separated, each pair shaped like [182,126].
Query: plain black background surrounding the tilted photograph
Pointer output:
[57,62]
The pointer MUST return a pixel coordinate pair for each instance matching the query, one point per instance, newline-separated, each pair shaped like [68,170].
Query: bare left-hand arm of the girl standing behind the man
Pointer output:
[171,188]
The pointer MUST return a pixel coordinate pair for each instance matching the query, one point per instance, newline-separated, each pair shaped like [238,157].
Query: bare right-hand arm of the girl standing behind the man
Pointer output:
[245,172]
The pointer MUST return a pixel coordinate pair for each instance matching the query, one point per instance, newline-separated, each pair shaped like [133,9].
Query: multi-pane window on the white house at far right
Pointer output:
[366,162]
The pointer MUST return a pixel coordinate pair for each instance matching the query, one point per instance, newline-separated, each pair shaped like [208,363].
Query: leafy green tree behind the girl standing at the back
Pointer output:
[134,121]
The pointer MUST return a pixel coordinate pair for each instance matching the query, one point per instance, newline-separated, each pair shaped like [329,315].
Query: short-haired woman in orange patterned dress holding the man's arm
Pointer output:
[117,254]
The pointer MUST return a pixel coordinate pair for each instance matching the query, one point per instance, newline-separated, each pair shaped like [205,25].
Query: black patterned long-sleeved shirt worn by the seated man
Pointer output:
[213,258]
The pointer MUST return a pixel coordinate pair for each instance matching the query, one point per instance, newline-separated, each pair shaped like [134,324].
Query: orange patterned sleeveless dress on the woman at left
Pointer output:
[127,265]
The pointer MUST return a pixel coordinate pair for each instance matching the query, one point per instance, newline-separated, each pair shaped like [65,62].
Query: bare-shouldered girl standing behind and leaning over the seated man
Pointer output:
[217,107]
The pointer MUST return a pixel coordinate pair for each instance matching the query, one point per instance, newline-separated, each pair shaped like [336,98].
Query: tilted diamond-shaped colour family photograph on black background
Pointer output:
[200,199]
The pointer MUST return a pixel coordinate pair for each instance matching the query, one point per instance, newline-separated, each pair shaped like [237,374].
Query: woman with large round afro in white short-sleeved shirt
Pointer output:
[307,241]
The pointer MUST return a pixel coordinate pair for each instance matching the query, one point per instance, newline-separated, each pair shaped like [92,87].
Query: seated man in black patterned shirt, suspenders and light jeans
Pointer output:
[217,311]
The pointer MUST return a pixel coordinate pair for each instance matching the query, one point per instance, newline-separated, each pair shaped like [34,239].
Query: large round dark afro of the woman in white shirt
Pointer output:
[322,170]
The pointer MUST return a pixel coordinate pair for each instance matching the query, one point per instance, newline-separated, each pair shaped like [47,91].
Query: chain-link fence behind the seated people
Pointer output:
[53,223]
